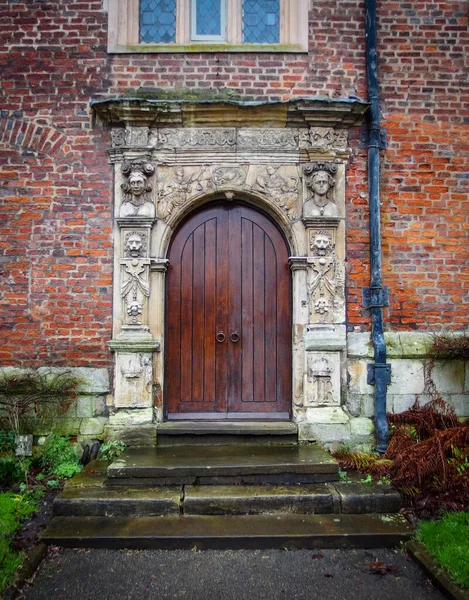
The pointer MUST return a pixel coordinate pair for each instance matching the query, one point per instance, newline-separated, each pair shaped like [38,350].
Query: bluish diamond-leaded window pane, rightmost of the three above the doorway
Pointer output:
[261,22]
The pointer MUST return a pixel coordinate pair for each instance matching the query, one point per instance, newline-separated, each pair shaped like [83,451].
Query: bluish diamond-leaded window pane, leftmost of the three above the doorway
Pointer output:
[157,21]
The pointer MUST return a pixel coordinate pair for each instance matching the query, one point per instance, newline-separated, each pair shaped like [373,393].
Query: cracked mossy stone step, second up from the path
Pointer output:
[226,500]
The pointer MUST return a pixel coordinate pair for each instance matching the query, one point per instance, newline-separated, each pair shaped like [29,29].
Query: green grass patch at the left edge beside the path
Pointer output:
[14,508]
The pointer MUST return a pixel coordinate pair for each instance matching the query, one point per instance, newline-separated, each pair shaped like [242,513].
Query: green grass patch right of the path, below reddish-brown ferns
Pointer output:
[447,540]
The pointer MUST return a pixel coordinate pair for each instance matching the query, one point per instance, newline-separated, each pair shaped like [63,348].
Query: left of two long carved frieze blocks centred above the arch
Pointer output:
[193,138]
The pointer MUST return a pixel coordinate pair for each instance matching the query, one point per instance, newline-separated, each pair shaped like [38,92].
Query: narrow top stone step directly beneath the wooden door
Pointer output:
[177,433]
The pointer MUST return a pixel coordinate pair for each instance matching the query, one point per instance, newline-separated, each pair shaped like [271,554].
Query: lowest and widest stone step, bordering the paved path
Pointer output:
[207,531]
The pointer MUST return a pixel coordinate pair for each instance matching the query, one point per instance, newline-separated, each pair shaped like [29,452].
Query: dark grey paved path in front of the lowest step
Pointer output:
[230,575]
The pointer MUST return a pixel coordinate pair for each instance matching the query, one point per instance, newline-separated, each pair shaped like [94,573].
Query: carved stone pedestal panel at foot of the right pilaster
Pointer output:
[322,379]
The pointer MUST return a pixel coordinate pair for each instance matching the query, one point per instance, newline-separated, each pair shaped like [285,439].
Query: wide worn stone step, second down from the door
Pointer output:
[223,464]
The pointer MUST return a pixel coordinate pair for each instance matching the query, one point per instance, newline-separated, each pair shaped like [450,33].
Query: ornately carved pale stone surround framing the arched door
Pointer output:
[294,170]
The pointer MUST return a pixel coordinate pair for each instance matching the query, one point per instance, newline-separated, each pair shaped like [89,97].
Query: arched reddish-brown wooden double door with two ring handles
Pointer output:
[228,310]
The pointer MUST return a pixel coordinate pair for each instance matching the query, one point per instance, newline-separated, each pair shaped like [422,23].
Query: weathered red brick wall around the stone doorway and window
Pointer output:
[56,245]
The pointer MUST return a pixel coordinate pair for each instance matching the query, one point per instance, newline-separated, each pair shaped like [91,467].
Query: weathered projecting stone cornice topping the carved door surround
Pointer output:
[301,112]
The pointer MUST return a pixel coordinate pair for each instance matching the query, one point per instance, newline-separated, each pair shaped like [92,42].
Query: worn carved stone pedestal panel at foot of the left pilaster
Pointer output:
[133,380]
